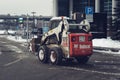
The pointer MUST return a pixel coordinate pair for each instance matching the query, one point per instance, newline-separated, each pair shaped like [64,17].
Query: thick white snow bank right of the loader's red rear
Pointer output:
[106,43]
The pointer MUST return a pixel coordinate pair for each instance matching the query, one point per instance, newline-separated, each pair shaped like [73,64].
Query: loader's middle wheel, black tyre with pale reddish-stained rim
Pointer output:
[55,56]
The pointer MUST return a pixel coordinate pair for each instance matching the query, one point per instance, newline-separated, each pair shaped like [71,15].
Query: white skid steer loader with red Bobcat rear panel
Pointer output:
[65,39]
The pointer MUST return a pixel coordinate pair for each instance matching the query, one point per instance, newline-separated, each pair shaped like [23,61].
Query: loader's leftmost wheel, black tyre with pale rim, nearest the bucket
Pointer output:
[43,54]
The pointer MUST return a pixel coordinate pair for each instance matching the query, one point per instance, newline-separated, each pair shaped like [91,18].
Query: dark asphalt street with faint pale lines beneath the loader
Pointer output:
[16,63]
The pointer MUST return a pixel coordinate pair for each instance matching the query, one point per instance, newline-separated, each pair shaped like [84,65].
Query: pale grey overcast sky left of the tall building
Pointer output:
[18,7]
